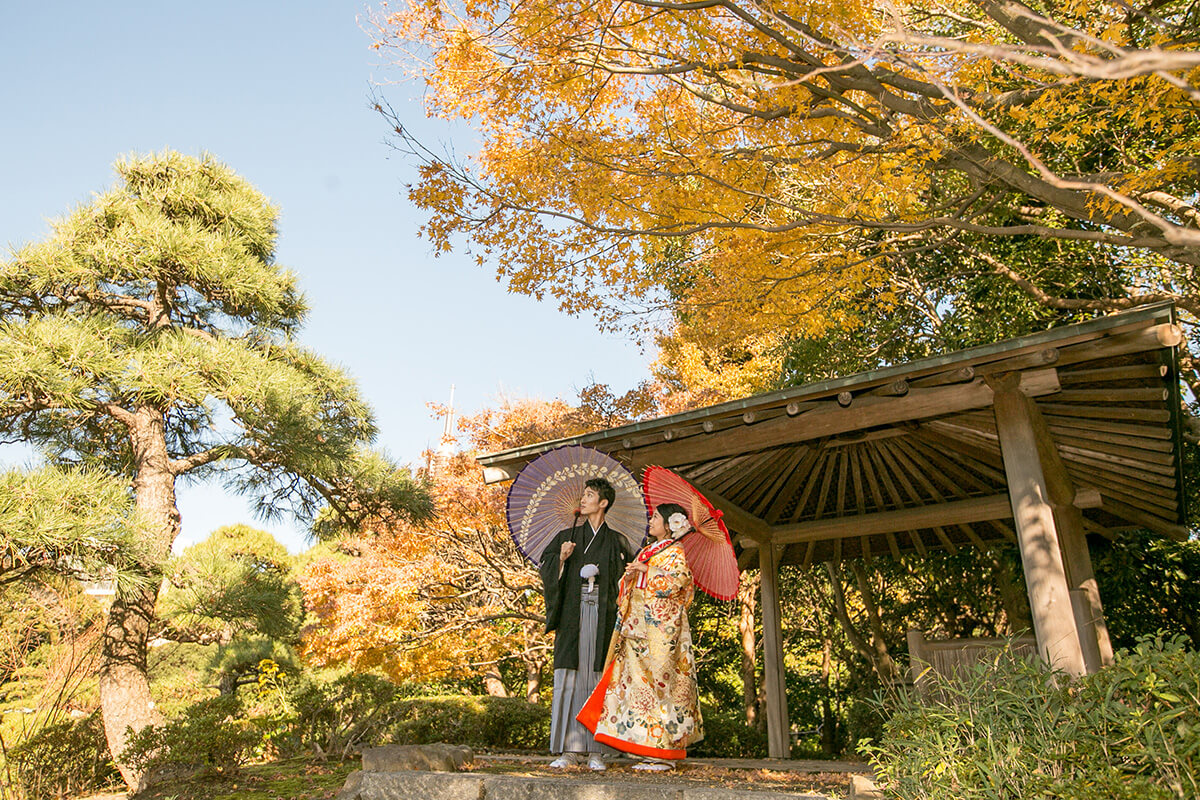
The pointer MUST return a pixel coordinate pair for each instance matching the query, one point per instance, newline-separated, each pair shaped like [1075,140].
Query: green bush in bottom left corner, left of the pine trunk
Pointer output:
[64,759]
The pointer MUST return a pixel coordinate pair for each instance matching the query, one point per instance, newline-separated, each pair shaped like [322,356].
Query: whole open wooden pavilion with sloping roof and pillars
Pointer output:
[1037,441]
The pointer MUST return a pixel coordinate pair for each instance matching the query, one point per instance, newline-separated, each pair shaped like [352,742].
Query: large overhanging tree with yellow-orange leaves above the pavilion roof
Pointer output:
[753,166]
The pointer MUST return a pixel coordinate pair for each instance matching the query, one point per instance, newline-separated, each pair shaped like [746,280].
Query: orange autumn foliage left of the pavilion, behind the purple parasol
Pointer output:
[453,598]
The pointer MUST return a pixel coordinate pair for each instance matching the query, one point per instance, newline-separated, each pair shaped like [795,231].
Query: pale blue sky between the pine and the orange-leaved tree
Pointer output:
[280,93]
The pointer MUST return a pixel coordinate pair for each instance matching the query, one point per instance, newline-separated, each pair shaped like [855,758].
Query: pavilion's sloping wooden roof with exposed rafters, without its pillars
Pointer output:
[908,459]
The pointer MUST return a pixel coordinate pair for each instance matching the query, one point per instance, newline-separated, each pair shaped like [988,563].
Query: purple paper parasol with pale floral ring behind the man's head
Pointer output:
[545,498]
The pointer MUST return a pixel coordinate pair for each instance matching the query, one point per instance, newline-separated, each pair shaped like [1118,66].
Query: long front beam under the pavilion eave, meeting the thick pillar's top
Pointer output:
[831,420]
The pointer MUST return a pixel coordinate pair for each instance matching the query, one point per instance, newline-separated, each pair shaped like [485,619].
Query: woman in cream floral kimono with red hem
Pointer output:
[646,703]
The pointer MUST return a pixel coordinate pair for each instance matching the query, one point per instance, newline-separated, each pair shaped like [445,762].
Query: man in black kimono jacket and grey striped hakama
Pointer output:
[581,570]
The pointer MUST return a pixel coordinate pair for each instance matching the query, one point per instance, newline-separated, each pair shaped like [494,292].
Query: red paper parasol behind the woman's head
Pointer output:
[710,551]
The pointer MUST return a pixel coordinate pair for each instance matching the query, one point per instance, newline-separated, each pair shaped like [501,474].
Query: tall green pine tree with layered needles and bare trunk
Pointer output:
[148,339]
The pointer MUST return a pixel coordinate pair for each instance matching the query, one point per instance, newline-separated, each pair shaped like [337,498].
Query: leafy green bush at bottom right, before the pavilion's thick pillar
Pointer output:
[1015,729]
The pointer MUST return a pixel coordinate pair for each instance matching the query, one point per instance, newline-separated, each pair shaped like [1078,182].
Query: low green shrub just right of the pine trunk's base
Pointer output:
[206,737]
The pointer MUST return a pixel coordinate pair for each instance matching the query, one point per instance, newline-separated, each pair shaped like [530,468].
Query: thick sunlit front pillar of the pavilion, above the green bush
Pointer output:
[1054,618]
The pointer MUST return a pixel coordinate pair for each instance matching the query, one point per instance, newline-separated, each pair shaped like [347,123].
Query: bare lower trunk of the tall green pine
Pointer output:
[125,696]
